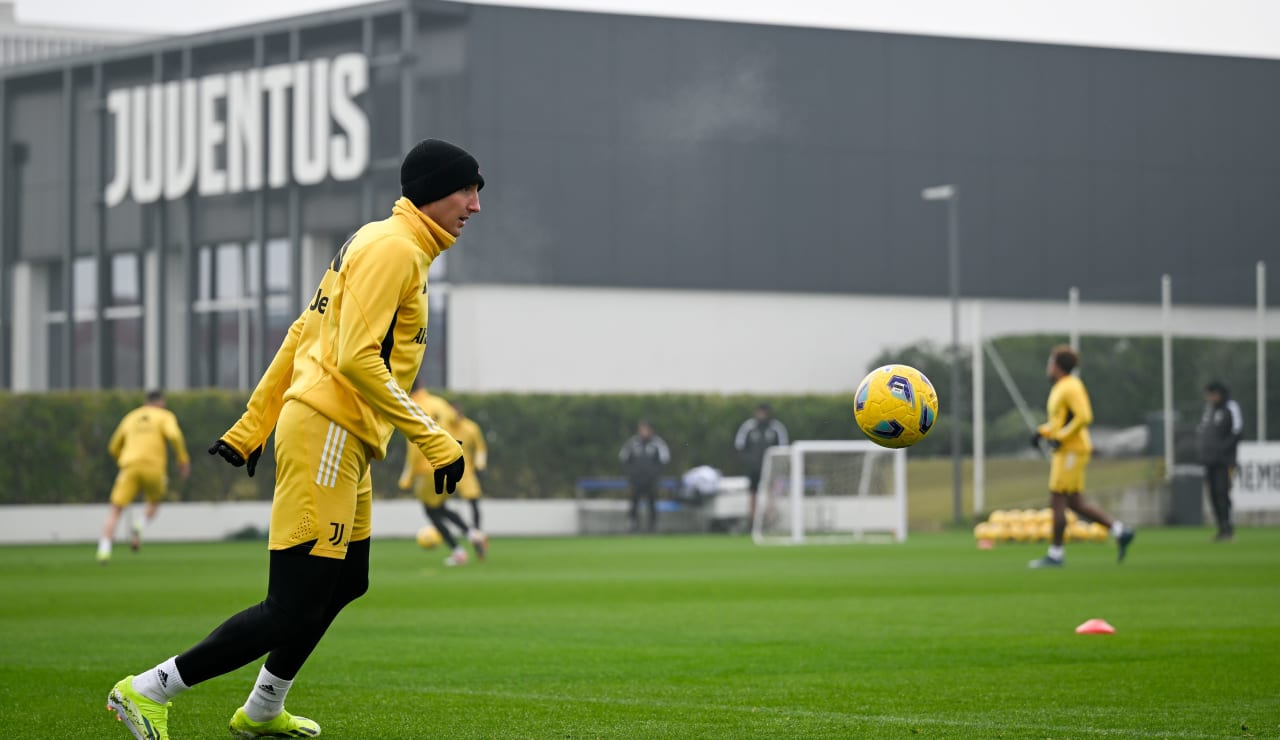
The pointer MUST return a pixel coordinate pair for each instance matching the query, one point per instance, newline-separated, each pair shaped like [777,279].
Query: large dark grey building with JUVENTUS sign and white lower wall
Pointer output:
[671,204]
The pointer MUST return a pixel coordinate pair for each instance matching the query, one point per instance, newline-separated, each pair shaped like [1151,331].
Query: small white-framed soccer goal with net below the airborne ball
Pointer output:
[831,492]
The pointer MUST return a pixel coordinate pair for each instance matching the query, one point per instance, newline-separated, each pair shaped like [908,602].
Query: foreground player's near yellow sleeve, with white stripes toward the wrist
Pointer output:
[373,294]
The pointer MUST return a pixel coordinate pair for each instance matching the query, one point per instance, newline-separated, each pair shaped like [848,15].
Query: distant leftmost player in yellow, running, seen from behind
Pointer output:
[140,450]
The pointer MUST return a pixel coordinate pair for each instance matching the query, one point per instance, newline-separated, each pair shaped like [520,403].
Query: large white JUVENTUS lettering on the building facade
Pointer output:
[241,131]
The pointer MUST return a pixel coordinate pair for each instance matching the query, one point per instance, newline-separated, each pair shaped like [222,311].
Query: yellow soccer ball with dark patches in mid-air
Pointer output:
[897,406]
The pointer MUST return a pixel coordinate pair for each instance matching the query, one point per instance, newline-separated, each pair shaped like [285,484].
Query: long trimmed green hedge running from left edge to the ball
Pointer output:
[541,445]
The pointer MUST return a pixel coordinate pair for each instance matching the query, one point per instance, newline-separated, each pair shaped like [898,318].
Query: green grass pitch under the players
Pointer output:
[685,637]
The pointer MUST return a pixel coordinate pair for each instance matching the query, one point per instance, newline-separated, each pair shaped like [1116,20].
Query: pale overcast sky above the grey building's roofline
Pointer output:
[1235,28]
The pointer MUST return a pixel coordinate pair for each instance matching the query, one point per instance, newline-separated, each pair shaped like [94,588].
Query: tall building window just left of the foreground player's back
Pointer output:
[227,307]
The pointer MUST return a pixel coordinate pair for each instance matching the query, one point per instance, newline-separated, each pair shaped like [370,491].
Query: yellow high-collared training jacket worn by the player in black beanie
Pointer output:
[356,349]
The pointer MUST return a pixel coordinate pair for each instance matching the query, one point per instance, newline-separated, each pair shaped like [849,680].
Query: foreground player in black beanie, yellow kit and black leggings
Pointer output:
[335,394]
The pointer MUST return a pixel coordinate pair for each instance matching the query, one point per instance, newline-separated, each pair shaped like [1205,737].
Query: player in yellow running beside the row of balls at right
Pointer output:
[1068,435]
